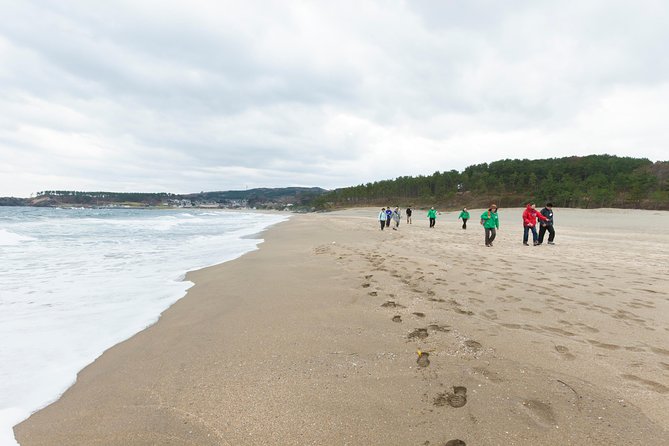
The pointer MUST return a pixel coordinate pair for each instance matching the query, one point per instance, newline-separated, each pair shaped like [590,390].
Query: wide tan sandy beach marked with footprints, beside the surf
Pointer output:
[313,340]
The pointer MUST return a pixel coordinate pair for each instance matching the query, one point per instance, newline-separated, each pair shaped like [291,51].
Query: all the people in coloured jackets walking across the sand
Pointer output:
[489,221]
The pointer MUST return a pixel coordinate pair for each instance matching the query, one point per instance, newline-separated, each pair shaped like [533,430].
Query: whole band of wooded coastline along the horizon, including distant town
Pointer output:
[585,182]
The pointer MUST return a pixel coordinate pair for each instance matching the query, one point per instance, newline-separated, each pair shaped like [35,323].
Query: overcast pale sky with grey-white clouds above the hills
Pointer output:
[198,95]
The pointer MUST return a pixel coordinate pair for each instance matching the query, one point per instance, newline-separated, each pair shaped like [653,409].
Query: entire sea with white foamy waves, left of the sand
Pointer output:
[74,282]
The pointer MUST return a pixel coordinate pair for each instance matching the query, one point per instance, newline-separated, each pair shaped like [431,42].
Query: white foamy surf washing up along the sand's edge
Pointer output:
[168,281]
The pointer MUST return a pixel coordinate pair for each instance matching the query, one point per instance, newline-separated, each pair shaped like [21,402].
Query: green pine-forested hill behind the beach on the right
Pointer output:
[586,182]
